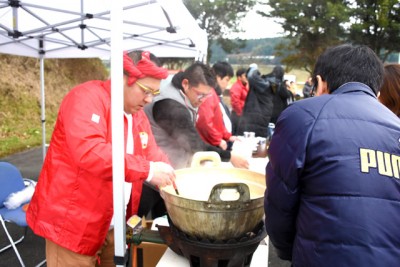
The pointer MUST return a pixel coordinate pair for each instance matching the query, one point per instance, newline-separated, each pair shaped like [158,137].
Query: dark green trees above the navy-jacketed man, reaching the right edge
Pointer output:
[313,25]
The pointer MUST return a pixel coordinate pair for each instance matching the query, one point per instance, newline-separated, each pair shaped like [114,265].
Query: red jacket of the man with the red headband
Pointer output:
[73,201]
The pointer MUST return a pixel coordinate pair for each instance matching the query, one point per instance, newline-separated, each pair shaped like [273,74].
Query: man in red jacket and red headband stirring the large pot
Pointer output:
[72,207]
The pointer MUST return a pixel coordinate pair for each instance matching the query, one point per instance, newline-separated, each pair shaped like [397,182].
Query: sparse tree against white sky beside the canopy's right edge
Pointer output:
[220,18]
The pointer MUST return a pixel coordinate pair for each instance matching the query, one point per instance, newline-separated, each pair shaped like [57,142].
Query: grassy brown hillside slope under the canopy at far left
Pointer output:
[20,97]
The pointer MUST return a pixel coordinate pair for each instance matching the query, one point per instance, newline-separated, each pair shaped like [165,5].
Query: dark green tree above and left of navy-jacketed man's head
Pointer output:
[311,26]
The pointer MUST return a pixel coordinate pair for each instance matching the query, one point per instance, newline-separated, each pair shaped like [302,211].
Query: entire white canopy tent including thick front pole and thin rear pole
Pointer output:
[99,28]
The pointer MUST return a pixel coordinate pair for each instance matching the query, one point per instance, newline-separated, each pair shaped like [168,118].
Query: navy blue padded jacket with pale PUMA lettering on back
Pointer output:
[333,188]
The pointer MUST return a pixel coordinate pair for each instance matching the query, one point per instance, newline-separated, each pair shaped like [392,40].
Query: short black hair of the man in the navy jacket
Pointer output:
[349,63]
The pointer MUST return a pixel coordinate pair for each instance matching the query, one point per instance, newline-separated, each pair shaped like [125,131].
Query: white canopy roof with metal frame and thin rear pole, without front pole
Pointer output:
[83,29]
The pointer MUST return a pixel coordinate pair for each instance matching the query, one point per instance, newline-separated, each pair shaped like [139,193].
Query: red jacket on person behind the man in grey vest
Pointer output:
[210,123]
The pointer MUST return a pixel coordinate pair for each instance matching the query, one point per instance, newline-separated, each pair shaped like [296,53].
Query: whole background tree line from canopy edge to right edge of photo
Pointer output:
[310,26]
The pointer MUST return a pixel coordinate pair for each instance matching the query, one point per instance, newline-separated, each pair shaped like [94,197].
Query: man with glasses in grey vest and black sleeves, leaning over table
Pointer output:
[173,116]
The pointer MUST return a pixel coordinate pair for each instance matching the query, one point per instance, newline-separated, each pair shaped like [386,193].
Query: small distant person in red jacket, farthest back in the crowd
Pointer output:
[238,94]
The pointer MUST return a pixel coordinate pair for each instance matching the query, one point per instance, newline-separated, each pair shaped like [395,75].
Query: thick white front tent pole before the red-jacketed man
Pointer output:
[117,119]
